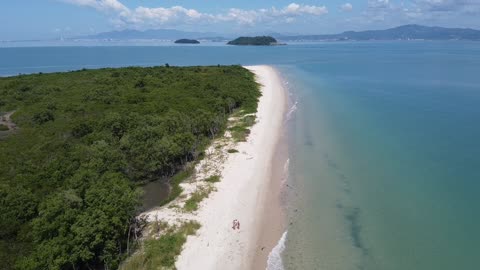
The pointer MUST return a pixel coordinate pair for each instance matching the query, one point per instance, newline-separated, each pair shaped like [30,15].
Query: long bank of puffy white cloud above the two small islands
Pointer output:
[160,16]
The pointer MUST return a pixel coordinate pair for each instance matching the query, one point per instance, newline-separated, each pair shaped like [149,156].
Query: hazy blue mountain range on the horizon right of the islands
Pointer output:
[405,32]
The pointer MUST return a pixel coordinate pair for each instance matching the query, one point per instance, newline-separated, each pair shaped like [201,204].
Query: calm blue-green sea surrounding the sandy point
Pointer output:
[384,144]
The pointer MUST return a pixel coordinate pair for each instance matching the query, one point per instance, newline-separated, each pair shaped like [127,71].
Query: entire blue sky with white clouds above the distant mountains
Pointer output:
[34,19]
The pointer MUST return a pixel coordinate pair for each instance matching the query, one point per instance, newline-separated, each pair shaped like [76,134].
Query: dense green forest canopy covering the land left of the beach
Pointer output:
[69,175]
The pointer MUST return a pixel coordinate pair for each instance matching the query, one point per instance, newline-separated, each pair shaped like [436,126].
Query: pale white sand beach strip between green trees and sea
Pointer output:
[249,192]
